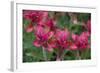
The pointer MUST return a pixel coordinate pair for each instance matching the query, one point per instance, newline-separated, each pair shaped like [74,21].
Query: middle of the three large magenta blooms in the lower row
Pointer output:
[62,37]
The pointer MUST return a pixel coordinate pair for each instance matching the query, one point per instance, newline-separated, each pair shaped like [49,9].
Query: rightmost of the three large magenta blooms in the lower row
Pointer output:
[80,41]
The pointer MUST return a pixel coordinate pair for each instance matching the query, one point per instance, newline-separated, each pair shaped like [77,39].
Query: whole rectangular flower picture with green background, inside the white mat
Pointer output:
[53,36]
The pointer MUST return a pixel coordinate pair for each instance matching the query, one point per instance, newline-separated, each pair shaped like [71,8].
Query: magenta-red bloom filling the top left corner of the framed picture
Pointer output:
[35,16]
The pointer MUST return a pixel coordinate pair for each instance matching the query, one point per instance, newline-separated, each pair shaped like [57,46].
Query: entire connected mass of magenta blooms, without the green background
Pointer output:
[50,36]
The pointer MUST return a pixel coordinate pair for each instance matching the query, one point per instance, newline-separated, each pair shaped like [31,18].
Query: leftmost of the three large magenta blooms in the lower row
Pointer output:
[42,37]
